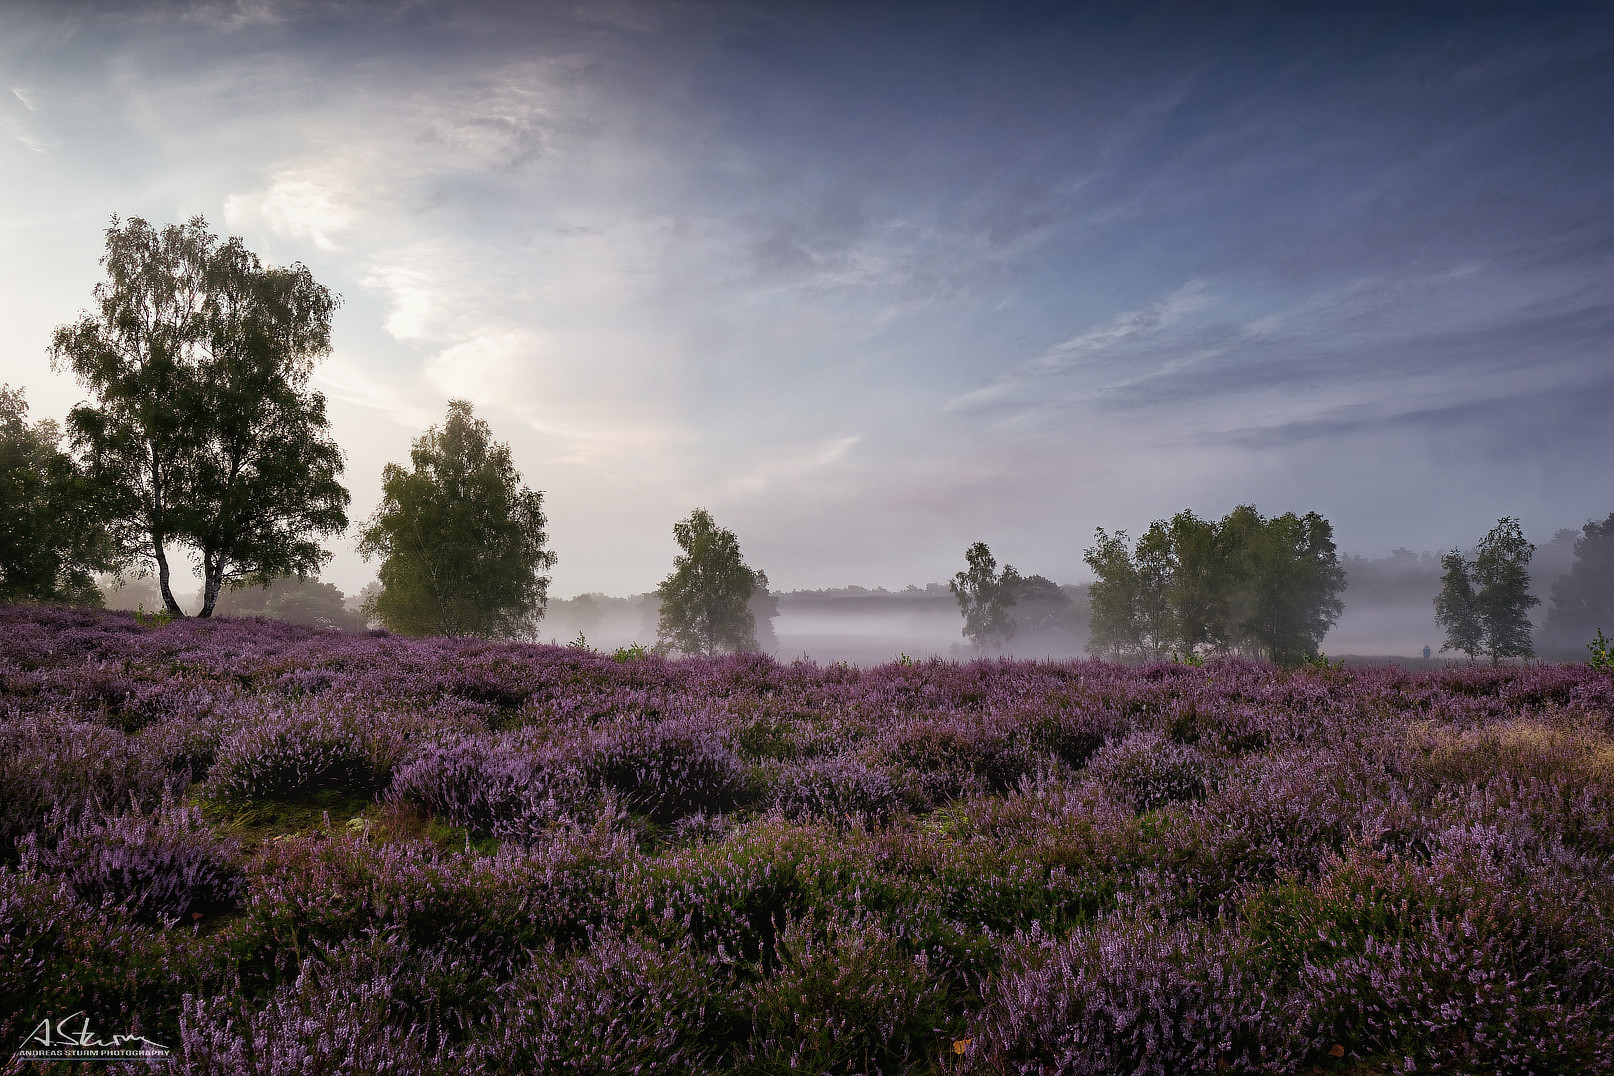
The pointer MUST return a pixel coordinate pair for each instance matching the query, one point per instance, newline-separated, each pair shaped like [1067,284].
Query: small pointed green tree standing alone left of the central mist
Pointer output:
[708,604]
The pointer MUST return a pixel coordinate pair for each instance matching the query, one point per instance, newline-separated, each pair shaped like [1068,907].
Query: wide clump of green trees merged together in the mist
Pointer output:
[1244,585]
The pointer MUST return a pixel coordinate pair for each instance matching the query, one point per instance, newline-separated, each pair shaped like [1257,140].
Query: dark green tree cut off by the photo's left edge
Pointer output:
[52,541]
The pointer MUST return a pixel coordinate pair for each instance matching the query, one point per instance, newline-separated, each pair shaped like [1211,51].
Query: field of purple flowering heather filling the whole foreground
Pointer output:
[285,851]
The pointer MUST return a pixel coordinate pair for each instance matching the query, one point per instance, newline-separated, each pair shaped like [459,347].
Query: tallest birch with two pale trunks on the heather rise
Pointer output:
[204,432]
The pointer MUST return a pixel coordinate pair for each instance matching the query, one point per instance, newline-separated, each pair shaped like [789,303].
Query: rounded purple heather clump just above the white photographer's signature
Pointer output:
[153,867]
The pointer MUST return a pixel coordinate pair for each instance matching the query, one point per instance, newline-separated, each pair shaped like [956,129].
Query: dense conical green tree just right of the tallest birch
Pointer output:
[461,538]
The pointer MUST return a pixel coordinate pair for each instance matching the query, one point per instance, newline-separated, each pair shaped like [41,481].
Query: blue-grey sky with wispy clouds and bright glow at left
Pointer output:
[874,282]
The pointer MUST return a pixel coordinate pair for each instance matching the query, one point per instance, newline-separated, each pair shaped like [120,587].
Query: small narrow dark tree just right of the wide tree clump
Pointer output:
[1484,606]
